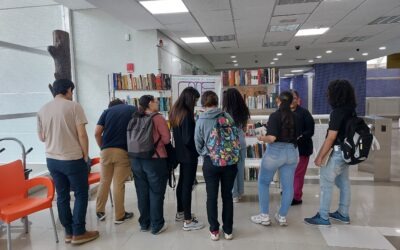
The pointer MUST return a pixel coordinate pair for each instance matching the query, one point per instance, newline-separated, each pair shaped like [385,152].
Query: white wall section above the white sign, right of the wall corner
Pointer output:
[175,60]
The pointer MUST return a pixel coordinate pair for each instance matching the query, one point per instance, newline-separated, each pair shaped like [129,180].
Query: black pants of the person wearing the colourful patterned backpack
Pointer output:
[213,175]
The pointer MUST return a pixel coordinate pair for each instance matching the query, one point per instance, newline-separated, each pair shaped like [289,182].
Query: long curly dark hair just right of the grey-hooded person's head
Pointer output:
[234,104]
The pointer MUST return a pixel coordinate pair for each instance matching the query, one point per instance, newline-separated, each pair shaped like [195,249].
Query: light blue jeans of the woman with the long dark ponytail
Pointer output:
[282,156]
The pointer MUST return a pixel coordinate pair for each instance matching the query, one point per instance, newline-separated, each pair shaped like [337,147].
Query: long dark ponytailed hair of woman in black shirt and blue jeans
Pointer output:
[287,117]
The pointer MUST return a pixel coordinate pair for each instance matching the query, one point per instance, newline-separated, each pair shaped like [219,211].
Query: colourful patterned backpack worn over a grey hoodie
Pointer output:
[223,143]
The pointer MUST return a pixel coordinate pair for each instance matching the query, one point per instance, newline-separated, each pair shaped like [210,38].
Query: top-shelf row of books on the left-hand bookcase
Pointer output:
[141,82]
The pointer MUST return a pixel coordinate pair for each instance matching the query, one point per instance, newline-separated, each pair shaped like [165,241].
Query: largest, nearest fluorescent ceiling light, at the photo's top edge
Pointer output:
[164,6]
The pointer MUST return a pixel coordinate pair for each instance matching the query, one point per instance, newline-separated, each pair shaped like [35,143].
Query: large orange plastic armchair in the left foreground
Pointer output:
[14,200]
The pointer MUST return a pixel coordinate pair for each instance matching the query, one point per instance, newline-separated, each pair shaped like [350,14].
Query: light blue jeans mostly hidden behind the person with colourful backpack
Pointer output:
[238,186]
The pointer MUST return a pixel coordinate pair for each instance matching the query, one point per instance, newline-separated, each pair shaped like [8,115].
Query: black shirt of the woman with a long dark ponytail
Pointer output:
[274,127]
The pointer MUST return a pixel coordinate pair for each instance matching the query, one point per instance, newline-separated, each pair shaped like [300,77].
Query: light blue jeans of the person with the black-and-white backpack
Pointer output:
[336,172]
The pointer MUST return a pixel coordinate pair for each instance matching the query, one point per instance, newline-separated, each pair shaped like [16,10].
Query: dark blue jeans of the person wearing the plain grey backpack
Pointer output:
[151,176]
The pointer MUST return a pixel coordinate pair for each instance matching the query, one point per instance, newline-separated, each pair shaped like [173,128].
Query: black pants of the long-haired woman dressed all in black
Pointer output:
[187,175]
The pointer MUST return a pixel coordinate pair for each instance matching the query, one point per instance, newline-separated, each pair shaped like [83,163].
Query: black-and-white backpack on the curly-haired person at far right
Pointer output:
[357,142]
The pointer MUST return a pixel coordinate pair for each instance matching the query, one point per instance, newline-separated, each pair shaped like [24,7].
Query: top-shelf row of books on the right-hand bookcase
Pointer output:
[244,77]
